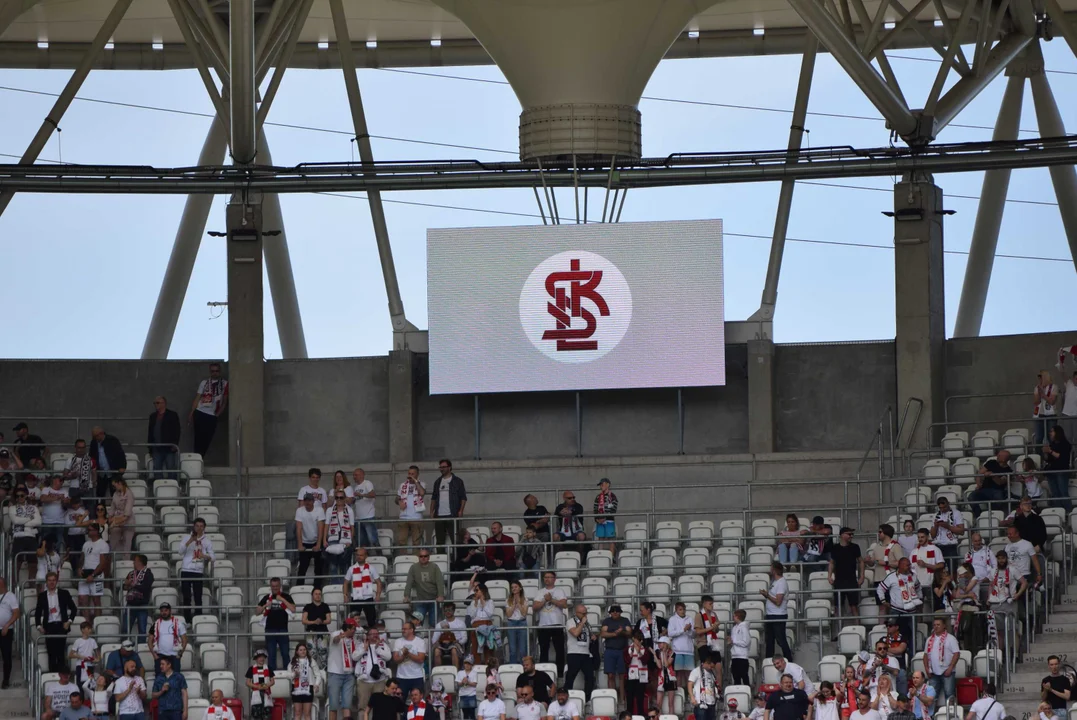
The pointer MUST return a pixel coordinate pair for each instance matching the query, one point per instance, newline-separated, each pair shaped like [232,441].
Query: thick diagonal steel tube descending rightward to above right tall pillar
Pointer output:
[848,55]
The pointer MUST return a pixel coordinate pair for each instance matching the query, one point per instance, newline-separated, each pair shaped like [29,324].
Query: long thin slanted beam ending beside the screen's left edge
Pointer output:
[367,156]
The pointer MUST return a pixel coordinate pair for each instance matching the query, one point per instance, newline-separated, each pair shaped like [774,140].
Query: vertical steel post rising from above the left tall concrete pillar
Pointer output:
[242,77]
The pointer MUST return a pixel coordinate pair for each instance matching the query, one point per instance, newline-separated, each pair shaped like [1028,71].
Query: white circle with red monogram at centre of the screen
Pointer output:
[576,307]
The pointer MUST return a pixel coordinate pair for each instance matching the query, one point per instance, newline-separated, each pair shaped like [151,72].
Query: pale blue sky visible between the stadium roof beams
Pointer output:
[97,261]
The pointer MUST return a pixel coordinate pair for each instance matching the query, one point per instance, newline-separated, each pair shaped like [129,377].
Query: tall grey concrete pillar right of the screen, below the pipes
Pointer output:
[919,300]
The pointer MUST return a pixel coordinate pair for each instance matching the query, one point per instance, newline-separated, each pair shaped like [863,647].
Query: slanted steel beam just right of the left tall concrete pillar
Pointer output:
[286,303]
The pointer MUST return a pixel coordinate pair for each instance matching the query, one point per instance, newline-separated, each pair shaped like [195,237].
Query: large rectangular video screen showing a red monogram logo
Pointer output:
[576,307]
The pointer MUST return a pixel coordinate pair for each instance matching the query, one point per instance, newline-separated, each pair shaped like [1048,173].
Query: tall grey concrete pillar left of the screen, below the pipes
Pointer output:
[246,334]
